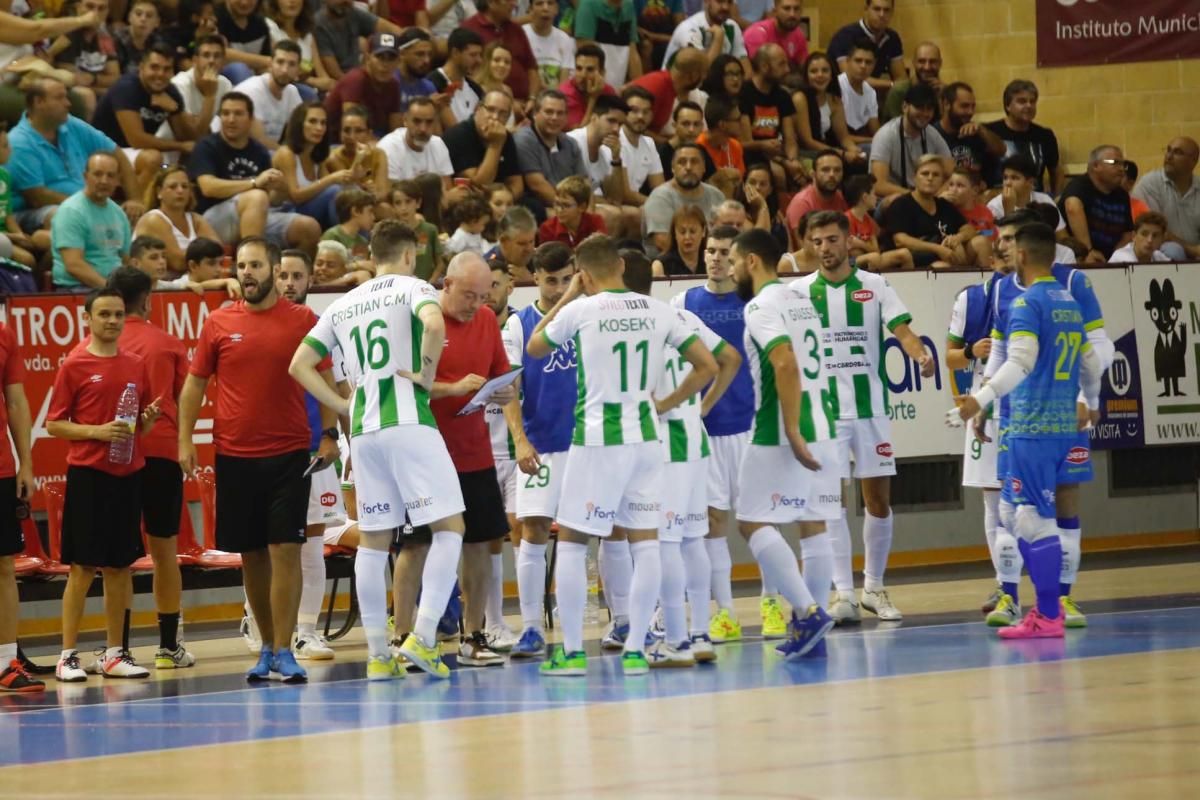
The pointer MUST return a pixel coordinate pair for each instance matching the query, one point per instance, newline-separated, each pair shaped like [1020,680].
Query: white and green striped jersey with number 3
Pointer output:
[777,316]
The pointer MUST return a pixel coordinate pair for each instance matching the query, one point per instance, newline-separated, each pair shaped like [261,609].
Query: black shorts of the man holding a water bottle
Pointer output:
[103,519]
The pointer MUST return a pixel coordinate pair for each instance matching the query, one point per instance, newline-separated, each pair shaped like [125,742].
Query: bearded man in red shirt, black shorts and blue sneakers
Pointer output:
[262,437]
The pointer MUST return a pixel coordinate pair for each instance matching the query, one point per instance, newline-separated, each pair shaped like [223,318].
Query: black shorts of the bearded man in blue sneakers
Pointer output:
[262,502]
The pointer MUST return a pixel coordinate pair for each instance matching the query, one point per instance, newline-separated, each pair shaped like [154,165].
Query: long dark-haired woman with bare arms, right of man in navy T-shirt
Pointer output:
[311,188]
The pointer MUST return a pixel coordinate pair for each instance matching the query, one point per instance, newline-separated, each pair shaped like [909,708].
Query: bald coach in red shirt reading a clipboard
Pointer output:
[473,354]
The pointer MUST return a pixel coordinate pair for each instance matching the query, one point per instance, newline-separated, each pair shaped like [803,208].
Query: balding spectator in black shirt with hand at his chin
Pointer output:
[482,149]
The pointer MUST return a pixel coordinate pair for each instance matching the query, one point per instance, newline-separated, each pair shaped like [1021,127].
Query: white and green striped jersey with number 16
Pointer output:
[379,330]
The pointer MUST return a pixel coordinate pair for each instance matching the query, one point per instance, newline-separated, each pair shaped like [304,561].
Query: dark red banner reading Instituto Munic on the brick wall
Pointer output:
[1073,33]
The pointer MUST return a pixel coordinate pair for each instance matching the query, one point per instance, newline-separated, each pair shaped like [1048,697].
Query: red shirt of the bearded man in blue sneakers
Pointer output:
[260,408]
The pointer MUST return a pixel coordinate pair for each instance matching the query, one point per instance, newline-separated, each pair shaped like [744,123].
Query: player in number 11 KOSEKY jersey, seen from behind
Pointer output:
[614,474]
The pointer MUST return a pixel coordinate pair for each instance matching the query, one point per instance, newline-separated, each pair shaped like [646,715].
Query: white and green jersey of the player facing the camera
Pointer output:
[856,314]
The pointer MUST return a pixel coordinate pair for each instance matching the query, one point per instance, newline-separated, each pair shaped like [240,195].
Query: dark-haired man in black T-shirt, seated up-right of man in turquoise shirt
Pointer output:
[137,105]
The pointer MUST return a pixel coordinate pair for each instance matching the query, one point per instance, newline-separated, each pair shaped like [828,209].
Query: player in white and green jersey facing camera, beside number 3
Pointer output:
[857,311]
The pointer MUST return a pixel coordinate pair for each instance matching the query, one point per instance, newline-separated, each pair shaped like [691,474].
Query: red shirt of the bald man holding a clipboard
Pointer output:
[471,348]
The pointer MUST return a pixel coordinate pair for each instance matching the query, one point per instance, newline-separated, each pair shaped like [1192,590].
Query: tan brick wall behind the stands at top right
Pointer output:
[1138,107]
